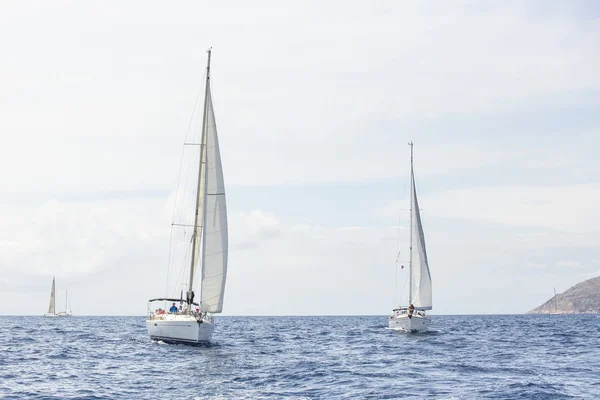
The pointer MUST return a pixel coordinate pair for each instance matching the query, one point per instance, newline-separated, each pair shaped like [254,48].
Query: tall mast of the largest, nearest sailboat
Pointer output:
[201,186]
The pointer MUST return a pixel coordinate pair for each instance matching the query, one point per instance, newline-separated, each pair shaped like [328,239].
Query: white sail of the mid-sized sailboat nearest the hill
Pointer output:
[421,278]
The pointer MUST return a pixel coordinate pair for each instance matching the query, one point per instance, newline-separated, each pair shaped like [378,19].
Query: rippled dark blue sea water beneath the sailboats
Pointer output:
[464,357]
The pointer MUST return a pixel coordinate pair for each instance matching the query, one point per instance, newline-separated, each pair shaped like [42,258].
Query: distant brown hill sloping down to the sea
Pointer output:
[583,298]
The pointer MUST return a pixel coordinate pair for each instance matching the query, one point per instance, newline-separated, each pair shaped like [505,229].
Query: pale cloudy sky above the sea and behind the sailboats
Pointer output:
[315,103]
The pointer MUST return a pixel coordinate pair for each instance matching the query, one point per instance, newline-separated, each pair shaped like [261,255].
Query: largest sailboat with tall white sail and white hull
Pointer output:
[193,321]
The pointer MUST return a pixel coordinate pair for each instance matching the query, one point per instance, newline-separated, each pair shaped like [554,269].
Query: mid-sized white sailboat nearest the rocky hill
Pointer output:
[413,318]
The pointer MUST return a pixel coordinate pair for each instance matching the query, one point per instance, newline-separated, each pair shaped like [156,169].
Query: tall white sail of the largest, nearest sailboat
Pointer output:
[214,251]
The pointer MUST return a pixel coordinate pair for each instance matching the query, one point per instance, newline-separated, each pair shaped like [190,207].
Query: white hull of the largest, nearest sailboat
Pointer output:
[179,328]
